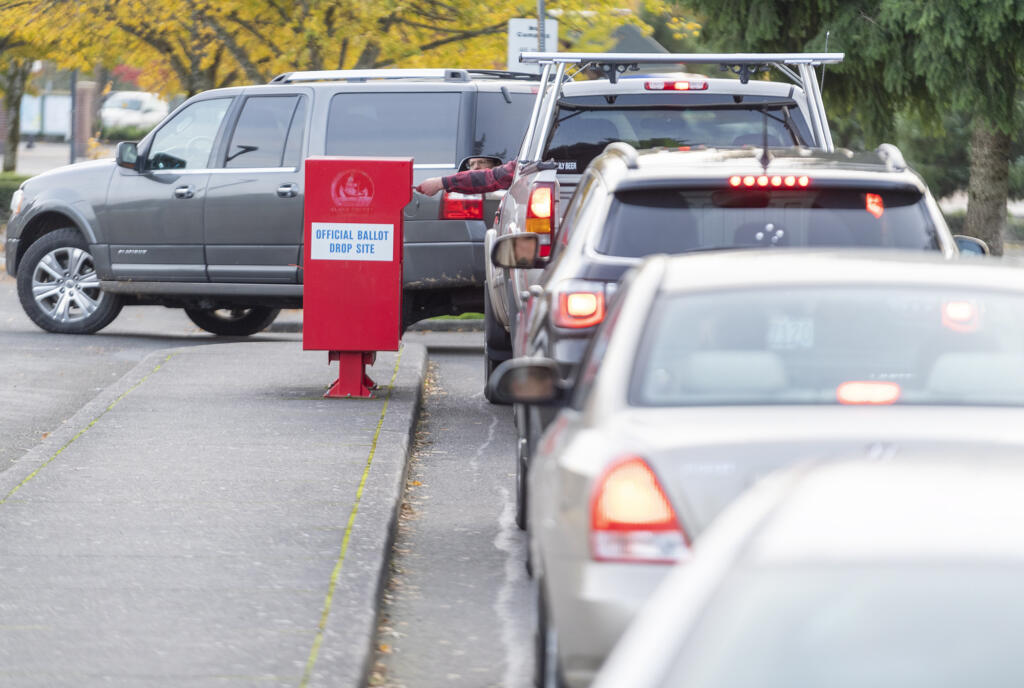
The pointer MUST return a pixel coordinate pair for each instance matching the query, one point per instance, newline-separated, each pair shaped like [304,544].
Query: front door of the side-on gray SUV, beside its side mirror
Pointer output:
[153,219]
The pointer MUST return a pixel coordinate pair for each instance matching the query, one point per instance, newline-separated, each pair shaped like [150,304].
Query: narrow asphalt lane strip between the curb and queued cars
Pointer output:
[458,611]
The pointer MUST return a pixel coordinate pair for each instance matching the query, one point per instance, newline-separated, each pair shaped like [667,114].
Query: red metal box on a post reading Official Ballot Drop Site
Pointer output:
[352,282]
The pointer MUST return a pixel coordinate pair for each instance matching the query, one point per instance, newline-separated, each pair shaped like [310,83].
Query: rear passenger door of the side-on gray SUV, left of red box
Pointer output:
[253,212]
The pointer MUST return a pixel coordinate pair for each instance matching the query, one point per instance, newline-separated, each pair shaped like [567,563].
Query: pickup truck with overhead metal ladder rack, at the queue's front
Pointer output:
[573,122]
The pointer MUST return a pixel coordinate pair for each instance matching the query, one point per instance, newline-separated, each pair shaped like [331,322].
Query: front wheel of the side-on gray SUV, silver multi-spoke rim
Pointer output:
[59,287]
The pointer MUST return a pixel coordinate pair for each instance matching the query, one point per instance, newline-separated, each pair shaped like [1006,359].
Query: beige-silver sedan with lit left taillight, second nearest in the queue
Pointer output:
[714,370]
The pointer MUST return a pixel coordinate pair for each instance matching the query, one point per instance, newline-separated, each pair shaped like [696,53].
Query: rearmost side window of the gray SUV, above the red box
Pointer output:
[422,125]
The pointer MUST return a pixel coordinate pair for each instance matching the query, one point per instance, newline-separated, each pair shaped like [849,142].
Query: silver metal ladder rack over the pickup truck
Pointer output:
[798,67]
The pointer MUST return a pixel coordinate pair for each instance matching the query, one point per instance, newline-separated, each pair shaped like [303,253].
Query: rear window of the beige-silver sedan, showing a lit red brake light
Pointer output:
[832,346]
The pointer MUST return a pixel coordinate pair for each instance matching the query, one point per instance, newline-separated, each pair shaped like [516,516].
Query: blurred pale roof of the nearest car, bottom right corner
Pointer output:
[918,508]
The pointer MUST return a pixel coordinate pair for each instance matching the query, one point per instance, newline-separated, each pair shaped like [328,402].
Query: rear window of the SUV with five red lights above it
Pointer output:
[643,223]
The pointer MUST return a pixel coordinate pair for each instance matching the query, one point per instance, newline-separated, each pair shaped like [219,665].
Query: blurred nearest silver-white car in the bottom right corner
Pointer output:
[902,575]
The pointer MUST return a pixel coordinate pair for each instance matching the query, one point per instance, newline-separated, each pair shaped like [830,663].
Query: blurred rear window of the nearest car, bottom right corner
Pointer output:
[883,627]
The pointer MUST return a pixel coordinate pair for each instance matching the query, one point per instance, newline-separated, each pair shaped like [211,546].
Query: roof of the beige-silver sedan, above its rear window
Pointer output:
[751,269]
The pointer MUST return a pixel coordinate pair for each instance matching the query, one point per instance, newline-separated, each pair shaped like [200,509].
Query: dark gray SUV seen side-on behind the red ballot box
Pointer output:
[206,212]
